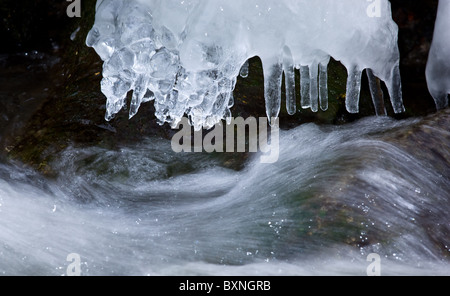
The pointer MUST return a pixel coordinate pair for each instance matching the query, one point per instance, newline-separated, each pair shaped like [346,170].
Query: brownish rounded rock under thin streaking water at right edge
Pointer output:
[352,205]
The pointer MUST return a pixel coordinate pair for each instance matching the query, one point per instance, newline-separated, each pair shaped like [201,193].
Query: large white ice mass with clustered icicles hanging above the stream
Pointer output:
[187,54]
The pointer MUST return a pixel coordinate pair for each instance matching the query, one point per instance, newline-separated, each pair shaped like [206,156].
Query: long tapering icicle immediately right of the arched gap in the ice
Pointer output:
[272,89]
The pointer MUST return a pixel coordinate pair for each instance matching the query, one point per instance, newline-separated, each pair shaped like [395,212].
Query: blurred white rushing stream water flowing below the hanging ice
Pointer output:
[335,195]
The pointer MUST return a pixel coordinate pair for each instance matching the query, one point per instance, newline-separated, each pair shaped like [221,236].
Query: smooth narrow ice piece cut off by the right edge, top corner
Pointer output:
[438,66]
